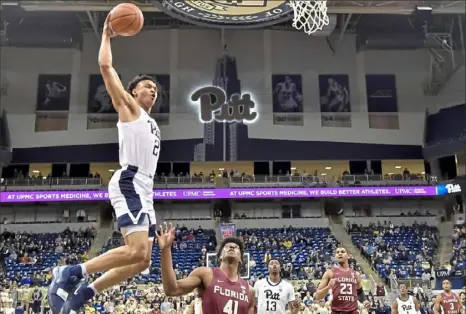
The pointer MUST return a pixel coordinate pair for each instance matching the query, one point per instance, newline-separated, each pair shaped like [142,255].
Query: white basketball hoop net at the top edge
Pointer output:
[309,16]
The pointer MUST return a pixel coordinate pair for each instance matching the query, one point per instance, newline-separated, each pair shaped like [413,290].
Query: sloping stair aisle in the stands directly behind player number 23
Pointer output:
[339,232]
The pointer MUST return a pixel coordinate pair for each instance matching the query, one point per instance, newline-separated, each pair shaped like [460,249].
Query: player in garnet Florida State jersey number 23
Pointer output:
[346,286]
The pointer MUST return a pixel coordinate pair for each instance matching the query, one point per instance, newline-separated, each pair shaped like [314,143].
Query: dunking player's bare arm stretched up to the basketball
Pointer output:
[112,82]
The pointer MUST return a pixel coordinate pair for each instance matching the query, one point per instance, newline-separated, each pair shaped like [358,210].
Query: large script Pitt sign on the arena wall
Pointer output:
[213,105]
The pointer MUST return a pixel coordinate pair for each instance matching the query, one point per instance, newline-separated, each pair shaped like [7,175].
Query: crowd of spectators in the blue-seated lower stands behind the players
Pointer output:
[28,258]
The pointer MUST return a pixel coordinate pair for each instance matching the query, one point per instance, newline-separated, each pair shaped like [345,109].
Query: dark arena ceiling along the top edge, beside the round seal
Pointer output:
[32,18]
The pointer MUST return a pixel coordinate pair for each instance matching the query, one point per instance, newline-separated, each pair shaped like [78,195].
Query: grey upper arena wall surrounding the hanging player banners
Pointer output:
[189,57]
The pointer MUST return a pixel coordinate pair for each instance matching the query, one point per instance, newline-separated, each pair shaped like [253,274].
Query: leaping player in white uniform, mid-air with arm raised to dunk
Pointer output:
[130,192]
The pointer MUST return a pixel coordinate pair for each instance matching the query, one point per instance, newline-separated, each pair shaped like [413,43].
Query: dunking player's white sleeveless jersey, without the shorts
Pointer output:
[139,143]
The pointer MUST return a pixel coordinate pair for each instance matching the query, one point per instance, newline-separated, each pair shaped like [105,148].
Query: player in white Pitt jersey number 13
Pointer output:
[273,293]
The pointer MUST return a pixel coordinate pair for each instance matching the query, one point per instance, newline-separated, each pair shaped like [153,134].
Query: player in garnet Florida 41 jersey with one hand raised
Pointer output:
[222,290]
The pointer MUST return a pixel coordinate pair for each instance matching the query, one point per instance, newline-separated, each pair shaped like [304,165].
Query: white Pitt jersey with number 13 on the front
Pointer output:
[272,298]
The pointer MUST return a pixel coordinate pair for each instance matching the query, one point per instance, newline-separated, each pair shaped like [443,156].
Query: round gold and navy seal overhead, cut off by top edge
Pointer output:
[228,13]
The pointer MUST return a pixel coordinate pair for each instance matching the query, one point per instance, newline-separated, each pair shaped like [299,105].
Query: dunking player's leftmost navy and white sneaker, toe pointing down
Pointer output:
[61,286]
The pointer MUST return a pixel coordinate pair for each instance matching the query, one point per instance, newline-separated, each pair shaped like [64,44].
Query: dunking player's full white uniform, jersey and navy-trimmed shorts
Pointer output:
[131,187]
